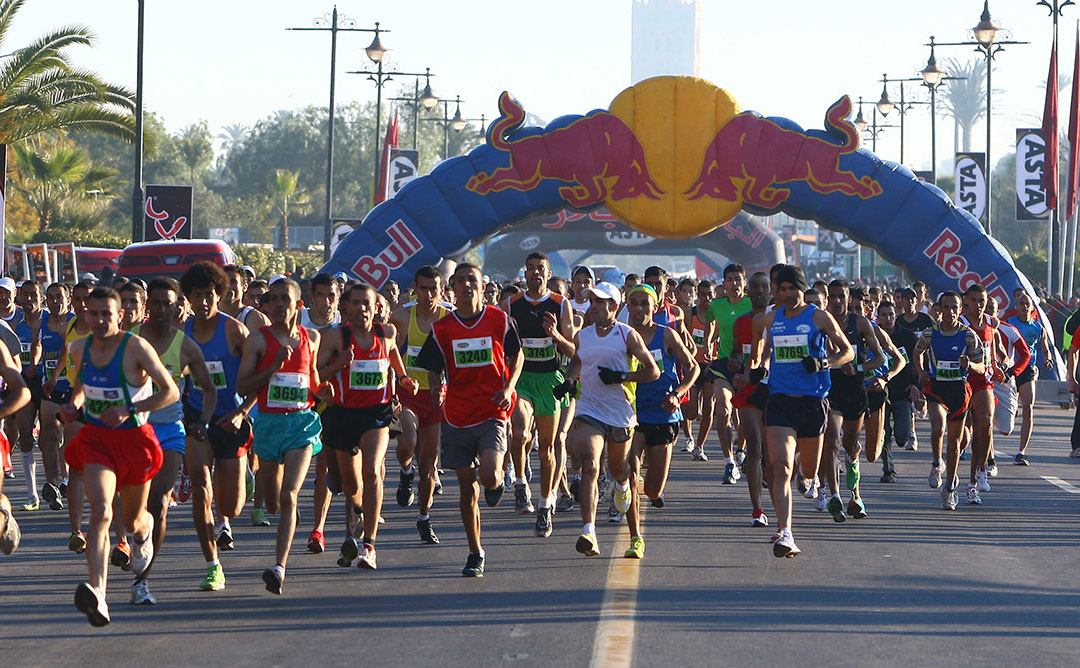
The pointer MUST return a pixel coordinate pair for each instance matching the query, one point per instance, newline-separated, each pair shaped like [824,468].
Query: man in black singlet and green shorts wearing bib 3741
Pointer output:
[546,325]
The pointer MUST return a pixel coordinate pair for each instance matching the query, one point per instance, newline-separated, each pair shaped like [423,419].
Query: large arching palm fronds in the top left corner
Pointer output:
[42,90]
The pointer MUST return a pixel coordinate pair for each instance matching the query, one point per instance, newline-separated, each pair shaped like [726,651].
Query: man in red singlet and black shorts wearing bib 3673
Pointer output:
[357,358]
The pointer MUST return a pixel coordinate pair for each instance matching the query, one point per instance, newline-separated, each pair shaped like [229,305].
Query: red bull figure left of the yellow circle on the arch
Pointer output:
[599,155]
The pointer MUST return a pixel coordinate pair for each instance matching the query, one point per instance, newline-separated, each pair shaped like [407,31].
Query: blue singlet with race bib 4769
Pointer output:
[793,339]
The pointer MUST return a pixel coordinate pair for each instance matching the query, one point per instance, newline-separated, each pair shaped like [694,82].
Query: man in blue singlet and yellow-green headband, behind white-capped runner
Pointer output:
[657,407]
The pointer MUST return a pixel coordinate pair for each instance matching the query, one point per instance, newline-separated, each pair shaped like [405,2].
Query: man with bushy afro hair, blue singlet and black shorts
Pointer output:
[215,462]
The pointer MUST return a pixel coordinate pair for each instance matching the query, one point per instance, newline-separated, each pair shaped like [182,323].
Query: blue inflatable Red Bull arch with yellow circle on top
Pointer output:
[676,158]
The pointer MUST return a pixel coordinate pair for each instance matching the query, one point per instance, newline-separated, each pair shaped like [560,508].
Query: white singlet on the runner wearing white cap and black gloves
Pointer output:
[610,404]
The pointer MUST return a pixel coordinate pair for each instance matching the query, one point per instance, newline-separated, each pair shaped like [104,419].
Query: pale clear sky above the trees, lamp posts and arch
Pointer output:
[233,62]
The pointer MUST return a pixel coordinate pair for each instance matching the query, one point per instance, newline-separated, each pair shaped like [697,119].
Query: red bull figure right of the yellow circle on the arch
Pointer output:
[732,172]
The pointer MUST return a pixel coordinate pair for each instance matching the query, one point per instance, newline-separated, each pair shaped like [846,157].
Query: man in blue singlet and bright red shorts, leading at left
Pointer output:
[116,449]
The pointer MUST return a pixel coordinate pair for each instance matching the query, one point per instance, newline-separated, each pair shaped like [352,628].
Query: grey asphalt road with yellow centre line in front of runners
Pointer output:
[910,585]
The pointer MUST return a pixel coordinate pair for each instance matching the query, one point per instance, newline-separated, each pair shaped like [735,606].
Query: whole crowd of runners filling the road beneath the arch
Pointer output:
[221,390]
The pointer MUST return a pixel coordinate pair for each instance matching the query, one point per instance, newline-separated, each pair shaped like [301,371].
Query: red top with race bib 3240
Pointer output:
[476,366]
